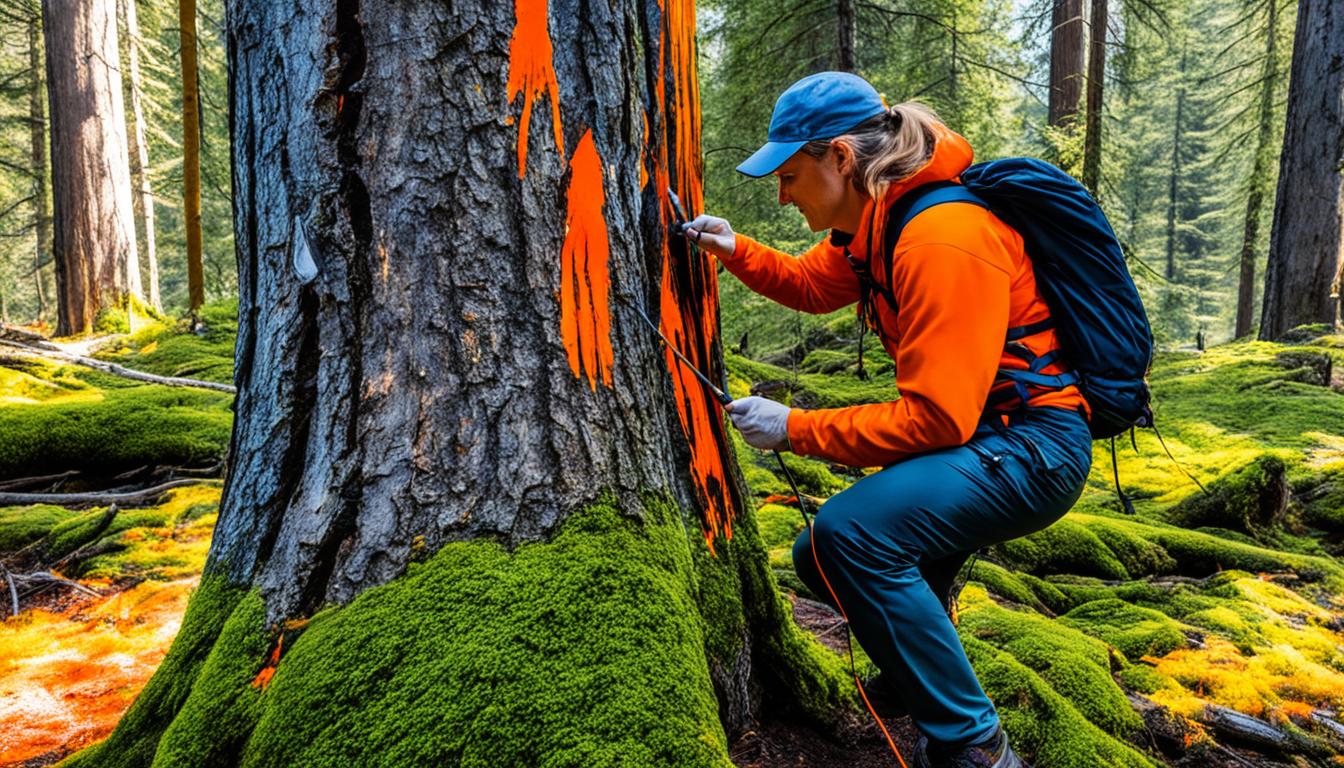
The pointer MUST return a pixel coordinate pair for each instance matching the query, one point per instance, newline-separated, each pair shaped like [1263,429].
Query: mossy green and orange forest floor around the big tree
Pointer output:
[1202,630]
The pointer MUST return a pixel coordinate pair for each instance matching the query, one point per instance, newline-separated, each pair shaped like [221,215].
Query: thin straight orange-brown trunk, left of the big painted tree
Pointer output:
[192,157]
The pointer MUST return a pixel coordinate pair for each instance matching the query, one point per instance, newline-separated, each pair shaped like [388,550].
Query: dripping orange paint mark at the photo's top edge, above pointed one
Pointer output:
[532,72]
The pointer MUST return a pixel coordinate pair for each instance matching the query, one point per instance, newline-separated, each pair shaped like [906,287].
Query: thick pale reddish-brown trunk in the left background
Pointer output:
[95,228]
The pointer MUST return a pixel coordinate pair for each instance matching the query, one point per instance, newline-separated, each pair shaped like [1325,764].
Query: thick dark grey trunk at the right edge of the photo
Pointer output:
[1303,275]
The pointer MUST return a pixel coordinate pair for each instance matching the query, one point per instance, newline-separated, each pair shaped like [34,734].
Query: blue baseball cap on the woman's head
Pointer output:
[818,107]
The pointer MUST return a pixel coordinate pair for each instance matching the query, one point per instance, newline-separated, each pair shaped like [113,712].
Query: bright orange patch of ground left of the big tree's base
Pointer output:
[68,679]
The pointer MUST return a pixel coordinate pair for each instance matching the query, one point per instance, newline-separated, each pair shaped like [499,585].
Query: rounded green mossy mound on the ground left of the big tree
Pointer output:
[103,424]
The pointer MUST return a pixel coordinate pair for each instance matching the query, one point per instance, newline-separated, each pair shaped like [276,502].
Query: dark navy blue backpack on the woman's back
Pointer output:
[1081,274]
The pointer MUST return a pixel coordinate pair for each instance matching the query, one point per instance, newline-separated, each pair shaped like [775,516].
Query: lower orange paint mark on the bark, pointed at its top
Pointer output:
[585,282]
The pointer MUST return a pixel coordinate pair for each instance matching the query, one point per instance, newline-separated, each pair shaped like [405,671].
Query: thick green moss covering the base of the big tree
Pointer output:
[587,650]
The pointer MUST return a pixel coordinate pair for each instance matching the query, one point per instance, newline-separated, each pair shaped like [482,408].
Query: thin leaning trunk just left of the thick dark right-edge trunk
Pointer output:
[1260,176]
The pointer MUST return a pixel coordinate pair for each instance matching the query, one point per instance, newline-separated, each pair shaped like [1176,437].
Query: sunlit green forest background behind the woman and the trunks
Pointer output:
[1185,161]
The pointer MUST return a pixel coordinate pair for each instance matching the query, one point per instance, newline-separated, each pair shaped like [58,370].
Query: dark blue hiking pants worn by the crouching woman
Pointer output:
[886,539]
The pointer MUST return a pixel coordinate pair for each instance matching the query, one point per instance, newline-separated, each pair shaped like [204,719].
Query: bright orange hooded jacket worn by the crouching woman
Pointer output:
[962,280]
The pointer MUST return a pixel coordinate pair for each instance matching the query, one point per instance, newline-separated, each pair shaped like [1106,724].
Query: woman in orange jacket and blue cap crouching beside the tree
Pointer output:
[968,461]
